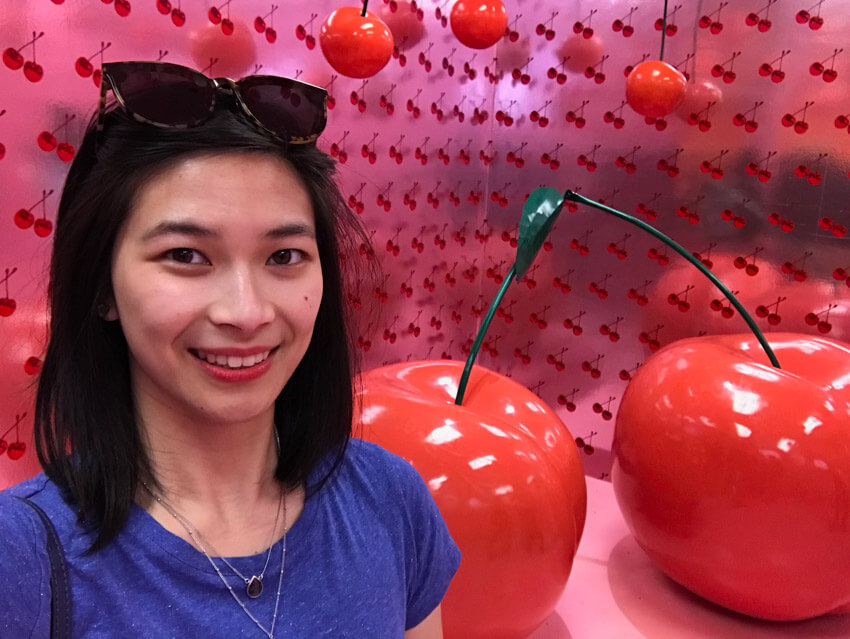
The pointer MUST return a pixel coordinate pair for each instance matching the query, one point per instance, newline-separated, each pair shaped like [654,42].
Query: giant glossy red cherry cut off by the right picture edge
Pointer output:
[734,476]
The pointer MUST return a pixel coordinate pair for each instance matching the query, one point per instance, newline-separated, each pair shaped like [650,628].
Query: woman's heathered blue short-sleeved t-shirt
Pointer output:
[370,556]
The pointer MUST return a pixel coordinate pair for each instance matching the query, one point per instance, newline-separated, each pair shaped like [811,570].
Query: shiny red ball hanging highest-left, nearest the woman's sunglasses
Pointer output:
[356,46]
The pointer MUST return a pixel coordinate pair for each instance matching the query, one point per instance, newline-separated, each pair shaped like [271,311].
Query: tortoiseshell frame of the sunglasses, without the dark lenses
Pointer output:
[226,85]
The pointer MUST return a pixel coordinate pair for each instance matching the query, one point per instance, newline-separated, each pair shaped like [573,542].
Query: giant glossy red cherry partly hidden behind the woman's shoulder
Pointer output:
[507,478]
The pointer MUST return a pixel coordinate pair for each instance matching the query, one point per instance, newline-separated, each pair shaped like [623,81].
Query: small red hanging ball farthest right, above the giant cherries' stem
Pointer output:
[654,88]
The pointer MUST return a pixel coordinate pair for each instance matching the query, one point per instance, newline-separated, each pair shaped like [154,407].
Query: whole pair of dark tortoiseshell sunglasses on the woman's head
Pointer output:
[173,96]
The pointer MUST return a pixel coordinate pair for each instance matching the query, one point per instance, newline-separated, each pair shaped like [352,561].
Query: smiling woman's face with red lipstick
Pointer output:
[217,283]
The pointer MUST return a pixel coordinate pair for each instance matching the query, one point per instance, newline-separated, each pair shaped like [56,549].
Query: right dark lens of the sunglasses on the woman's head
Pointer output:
[289,108]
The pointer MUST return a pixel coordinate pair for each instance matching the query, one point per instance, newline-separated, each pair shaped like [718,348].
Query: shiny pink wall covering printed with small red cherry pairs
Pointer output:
[438,151]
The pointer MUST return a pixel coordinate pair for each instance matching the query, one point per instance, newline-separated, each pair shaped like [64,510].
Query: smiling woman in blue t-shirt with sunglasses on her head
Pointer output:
[199,373]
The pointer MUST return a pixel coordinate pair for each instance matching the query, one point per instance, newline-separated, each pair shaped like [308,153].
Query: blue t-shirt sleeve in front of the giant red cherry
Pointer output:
[433,557]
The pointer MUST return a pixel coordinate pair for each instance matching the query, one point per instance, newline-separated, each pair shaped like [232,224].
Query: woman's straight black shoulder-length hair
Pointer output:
[84,405]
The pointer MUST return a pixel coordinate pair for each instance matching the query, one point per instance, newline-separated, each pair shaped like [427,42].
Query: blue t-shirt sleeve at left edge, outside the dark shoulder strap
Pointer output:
[24,572]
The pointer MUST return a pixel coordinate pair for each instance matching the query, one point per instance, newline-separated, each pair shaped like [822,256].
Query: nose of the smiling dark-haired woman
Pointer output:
[240,301]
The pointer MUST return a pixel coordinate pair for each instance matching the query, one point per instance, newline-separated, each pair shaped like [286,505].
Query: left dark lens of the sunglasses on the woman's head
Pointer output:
[162,93]
